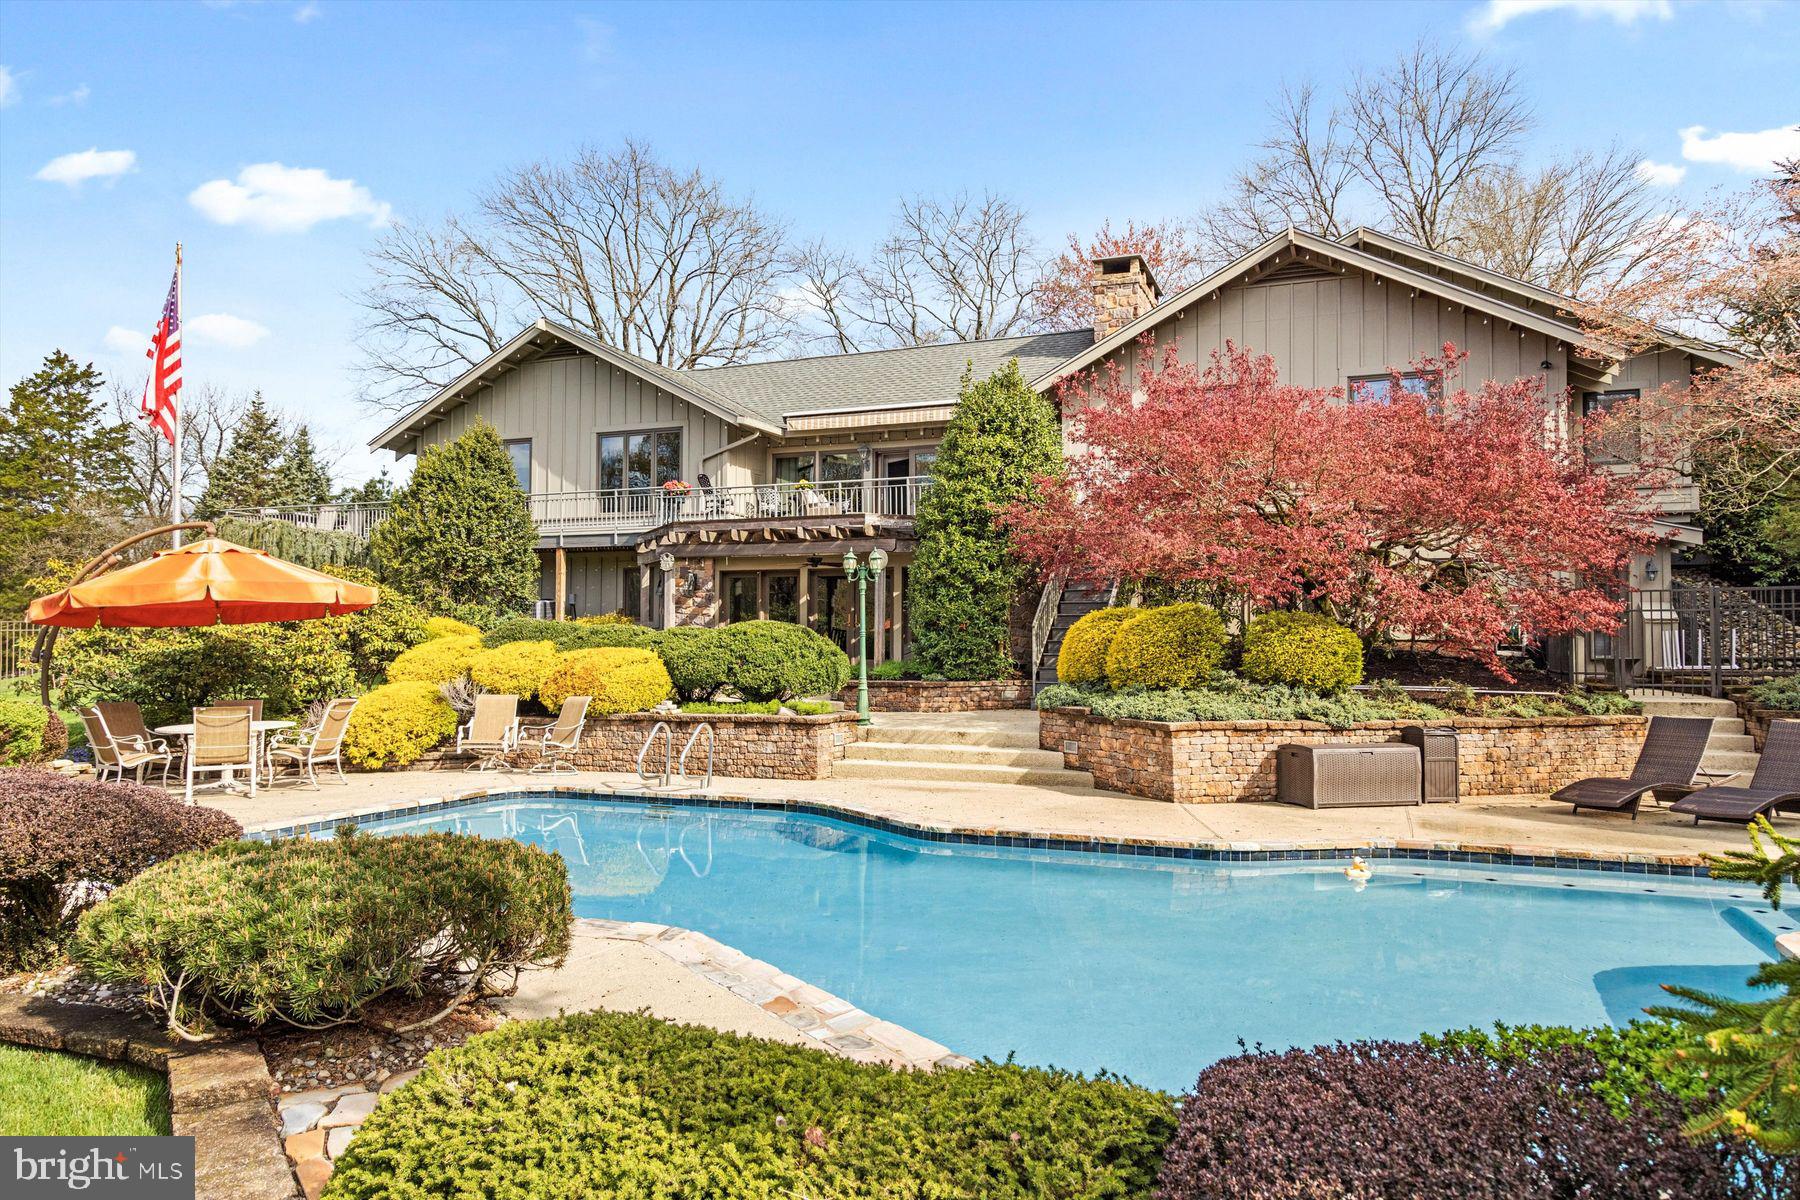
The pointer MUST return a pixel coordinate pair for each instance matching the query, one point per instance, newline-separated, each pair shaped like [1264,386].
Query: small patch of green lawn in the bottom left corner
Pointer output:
[46,1095]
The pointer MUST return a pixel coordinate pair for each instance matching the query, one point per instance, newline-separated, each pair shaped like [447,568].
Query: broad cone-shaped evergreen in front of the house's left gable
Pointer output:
[462,533]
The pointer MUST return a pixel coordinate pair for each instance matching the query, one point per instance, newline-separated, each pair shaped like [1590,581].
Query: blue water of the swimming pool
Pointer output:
[1138,965]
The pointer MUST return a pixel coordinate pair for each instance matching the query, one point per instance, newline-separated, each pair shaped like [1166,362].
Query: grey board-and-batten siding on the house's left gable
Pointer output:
[564,402]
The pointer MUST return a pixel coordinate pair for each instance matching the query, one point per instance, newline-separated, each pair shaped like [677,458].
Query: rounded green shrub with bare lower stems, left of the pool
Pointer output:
[310,933]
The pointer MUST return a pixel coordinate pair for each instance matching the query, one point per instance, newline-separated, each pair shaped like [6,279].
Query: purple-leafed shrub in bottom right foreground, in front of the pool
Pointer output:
[1387,1120]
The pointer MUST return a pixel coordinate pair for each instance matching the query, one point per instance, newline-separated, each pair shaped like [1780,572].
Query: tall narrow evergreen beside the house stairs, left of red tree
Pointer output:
[966,580]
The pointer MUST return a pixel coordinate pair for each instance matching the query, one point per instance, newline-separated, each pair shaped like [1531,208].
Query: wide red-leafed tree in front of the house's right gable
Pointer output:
[1446,519]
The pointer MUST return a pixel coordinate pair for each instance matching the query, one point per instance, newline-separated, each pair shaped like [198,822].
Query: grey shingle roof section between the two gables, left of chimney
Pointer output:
[915,375]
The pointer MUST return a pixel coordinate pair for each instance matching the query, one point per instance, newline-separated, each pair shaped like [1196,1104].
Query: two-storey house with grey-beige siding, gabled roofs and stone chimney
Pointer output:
[733,494]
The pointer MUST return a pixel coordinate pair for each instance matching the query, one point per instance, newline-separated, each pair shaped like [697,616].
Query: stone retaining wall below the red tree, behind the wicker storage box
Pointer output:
[1219,762]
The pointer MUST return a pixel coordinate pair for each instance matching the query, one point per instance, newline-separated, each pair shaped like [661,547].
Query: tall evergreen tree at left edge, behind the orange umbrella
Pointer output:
[64,472]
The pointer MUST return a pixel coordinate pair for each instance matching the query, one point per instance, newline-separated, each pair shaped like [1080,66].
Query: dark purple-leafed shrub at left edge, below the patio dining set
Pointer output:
[62,836]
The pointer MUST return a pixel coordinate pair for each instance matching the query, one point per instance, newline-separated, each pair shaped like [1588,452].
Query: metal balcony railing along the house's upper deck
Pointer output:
[640,510]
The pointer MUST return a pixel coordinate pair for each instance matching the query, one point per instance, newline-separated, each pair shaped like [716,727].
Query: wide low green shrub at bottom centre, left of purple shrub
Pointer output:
[627,1106]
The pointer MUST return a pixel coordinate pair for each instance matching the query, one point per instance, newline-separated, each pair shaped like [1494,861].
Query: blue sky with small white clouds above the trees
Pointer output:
[825,114]
